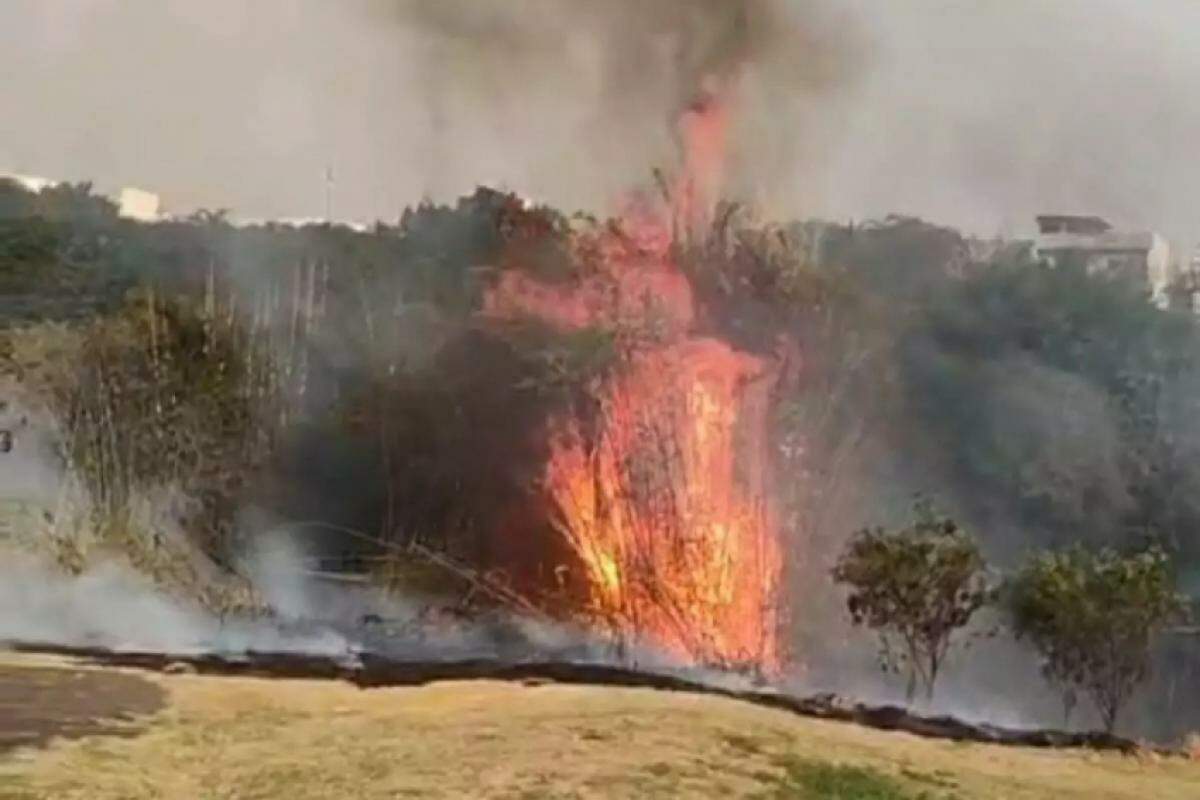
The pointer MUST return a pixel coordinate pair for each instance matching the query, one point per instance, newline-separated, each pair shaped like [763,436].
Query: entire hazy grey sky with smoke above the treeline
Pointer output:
[977,113]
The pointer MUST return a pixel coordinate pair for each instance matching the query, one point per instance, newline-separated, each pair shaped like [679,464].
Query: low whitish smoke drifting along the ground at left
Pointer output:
[62,584]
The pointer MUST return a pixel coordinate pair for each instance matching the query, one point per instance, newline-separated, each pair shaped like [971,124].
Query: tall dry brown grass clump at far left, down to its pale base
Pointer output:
[160,414]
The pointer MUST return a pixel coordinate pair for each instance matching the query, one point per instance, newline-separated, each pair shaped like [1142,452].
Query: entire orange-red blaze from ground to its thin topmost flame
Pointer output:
[663,494]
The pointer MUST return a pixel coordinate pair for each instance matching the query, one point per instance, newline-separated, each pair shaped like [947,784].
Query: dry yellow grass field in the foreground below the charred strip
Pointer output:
[224,738]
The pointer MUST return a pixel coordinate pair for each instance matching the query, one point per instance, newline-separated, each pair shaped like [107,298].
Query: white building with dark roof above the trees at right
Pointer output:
[1142,256]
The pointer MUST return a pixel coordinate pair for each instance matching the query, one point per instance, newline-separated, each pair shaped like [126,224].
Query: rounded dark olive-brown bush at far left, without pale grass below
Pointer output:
[160,396]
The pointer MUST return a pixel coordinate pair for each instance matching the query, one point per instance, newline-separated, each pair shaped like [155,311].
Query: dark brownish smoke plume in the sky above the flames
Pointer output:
[599,88]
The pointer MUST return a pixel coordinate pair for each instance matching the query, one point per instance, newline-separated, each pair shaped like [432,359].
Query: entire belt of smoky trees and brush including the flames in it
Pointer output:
[663,428]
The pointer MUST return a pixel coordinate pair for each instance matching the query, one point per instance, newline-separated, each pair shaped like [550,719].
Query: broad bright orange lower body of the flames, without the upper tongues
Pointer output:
[677,550]
